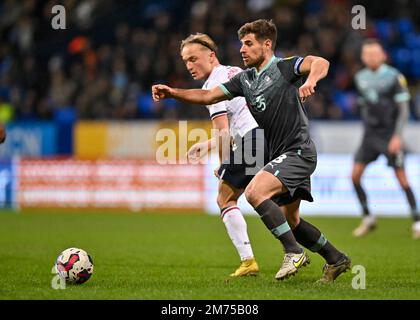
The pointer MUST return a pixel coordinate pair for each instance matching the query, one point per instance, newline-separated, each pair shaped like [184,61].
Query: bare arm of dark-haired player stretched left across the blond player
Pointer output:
[195,96]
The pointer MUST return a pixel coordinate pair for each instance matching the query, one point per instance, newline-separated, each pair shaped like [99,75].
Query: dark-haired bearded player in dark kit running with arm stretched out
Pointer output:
[274,92]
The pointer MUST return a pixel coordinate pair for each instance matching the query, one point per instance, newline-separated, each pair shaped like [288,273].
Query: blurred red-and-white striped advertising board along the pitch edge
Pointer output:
[131,184]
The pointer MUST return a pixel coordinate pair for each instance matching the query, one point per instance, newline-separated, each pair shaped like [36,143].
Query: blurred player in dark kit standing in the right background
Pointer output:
[384,101]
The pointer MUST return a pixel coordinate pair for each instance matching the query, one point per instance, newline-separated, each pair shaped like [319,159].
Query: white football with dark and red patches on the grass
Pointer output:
[74,265]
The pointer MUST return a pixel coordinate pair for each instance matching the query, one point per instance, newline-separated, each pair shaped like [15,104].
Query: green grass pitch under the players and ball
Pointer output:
[176,256]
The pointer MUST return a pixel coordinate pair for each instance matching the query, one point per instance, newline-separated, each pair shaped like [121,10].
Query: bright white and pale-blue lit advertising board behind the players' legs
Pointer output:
[333,192]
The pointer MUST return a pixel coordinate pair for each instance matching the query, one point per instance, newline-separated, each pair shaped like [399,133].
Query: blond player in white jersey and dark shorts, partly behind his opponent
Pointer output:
[233,121]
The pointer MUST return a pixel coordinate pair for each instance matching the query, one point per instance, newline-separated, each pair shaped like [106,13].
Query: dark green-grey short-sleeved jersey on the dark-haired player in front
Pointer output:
[272,96]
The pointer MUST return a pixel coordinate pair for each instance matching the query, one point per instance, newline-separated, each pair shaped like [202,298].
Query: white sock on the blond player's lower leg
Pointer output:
[237,230]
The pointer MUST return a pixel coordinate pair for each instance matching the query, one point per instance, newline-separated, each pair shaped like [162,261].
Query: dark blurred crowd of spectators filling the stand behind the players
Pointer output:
[103,64]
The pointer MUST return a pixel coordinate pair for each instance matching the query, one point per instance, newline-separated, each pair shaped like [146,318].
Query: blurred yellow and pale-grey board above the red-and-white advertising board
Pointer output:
[137,139]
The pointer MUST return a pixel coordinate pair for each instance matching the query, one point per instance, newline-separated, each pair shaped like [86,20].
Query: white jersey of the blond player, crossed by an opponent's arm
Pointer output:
[240,118]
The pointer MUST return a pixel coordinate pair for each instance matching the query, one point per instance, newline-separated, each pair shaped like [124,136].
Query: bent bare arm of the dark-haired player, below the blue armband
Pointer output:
[315,68]
